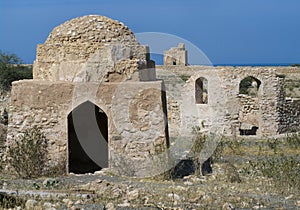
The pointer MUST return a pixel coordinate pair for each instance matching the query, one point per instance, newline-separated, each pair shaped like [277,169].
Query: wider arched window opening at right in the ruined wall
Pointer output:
[249,86]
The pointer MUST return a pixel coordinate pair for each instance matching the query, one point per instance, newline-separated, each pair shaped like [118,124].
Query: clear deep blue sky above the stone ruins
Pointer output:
[227,31]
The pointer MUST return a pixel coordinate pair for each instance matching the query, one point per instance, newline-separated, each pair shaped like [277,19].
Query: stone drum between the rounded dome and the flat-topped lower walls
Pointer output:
[112,63]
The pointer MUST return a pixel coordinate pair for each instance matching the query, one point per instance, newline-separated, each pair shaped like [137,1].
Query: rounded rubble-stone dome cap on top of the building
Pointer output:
[91,29]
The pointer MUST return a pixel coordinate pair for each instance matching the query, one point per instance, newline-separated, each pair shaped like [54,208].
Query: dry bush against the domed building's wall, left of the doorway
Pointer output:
[28,155]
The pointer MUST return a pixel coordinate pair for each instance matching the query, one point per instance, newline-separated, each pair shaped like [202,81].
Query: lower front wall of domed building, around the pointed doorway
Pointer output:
[136,118]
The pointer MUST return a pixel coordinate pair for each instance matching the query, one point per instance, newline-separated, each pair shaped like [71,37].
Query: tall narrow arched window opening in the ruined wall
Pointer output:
[201,91]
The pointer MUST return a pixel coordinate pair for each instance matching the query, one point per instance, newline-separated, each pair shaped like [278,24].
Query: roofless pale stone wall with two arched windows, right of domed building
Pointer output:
[226,110]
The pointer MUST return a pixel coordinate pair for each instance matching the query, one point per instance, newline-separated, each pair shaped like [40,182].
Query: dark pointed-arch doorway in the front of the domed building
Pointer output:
[87,139]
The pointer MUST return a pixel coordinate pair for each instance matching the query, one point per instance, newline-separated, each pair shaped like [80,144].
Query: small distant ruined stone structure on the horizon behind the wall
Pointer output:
[176,56]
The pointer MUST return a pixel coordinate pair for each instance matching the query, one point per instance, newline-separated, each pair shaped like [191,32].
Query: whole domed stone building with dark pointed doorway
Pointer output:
[93,61]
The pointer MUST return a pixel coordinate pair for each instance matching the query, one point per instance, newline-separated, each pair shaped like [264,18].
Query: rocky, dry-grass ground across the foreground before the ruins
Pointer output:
[235,183]
